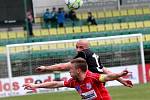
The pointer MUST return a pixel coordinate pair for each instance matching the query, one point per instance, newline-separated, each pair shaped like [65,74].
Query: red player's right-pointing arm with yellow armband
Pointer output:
[113,76]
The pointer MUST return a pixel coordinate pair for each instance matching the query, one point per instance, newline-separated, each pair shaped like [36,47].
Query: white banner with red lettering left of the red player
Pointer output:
[18,82]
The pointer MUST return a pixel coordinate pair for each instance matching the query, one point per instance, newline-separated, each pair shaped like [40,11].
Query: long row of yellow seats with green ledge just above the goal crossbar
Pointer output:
[99,30]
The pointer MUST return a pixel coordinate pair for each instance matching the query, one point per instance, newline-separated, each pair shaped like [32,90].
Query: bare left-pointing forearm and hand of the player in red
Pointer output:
[52,84]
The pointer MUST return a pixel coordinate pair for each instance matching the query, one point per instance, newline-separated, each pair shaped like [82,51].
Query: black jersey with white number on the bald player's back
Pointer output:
[93,60]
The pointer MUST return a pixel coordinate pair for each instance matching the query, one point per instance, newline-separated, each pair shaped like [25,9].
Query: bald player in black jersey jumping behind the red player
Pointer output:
[93,61]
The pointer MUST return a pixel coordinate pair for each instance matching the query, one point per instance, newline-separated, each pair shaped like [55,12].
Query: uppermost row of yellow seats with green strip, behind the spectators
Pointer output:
[111,16]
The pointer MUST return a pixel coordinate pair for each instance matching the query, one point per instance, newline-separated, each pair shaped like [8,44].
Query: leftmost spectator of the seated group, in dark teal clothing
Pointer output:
[54,18]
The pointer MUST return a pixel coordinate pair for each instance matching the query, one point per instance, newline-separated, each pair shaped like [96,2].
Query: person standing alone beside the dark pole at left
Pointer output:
[29,22]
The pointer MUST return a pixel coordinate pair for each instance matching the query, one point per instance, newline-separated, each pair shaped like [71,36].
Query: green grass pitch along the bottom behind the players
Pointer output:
[138,92]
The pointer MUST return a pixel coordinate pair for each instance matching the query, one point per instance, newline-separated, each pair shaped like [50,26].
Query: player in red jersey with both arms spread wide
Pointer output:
[87,84]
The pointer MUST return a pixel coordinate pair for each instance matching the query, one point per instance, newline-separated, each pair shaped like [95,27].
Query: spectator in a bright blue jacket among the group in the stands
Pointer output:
[60,17]
